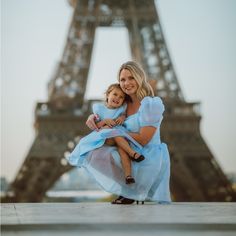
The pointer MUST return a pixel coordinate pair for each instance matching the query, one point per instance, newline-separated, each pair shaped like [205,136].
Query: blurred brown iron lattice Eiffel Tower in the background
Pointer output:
[195,174]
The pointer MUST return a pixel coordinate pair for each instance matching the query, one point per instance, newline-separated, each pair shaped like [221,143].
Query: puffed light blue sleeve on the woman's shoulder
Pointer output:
[151,111]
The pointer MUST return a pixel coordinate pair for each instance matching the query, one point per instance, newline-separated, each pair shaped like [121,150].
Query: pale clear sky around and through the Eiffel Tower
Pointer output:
[200,35]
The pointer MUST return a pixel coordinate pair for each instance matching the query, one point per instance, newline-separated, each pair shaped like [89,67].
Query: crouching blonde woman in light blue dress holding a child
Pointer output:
[144,116]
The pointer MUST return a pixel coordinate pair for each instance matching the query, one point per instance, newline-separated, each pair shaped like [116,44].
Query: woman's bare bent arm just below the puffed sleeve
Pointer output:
[145,135]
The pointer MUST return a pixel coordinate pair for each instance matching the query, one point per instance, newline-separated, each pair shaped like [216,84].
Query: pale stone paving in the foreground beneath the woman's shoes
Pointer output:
[105,219]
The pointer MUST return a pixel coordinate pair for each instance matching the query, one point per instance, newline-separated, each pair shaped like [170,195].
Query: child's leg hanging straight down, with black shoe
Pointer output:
[126,164]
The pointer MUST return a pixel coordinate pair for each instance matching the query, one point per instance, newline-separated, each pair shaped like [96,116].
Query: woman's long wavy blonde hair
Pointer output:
[144,88]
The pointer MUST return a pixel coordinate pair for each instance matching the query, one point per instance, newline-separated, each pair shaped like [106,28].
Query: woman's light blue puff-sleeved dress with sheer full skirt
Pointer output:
[151,175]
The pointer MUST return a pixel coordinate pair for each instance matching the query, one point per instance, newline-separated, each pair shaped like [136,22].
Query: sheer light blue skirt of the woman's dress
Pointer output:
[151,175]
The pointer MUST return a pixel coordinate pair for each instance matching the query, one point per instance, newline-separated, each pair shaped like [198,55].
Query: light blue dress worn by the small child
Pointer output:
[96,139]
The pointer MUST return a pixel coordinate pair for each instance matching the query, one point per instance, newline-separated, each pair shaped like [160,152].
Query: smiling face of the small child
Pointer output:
[115,98]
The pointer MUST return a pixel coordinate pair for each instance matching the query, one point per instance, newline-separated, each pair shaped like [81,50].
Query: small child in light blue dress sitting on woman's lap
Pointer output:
[111,116]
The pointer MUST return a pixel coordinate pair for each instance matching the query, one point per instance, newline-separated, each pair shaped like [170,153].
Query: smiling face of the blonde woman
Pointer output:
[127,82]
